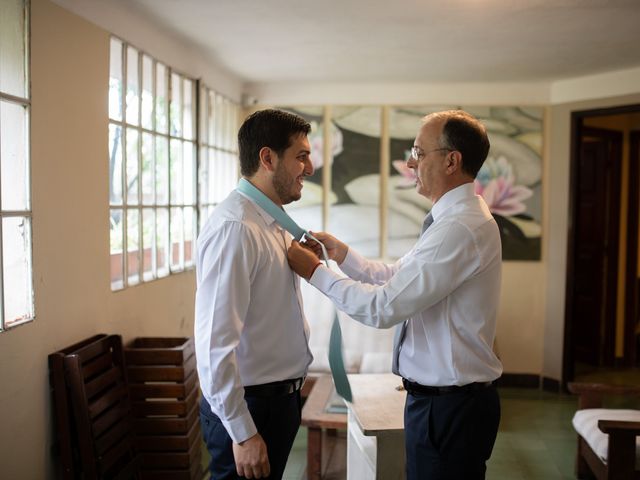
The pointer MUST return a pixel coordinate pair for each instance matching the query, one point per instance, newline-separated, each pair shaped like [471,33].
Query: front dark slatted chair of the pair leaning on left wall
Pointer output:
[97,382]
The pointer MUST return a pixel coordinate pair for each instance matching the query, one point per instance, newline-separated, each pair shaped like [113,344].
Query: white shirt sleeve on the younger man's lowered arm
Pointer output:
[226,260]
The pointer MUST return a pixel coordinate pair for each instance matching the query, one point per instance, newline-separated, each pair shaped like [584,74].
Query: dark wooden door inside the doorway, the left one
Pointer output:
[596,224]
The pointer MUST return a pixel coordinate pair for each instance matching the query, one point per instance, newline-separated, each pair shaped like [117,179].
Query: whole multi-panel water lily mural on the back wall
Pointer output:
[509,181]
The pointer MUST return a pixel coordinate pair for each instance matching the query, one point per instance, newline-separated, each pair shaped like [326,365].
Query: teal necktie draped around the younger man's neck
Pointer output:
[336,361]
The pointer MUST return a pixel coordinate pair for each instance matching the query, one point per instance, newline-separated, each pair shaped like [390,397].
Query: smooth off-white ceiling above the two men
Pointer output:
[428,41]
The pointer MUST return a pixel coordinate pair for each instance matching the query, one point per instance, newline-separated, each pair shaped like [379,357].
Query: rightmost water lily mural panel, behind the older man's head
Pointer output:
[509,181]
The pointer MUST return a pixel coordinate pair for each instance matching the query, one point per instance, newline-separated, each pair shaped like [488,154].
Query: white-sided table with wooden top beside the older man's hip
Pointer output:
[375,441]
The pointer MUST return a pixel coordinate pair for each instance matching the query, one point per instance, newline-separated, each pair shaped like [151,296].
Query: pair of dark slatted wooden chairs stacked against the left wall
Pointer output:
[93,410]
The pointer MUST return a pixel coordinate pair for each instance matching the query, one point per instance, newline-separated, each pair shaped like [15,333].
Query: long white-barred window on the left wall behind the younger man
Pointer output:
[155,170]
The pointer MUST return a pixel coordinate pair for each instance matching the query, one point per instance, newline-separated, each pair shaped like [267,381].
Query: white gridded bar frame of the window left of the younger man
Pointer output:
[170,138]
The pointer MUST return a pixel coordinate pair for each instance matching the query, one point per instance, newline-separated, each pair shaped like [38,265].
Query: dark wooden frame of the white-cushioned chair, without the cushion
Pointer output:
[622,436]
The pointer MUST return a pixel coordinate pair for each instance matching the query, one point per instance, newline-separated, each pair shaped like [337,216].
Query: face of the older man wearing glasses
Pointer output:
[431,167]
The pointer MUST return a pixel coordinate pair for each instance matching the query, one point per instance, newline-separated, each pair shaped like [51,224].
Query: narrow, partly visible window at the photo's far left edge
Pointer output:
[16,275]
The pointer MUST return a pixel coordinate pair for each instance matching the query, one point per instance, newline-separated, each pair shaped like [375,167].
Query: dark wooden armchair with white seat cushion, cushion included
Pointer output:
[605,458]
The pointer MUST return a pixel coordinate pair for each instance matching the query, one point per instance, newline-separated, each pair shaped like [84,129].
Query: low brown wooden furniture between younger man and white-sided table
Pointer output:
[325,449]
